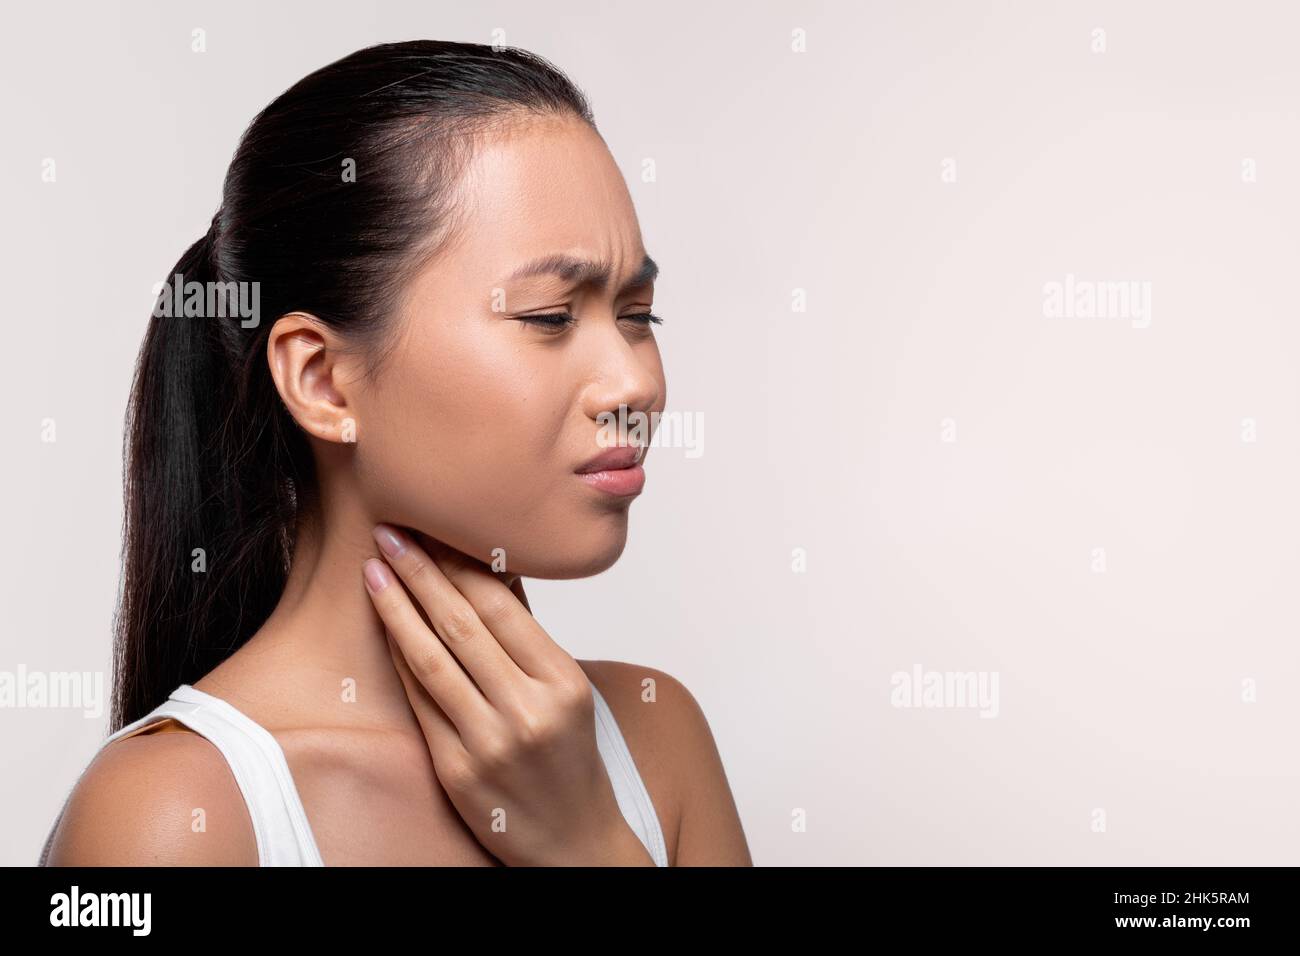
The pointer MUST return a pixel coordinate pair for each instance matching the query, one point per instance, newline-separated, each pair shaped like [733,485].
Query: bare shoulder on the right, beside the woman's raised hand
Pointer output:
[675,752]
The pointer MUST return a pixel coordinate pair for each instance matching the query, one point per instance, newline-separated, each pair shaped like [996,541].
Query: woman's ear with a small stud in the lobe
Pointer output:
[313,374]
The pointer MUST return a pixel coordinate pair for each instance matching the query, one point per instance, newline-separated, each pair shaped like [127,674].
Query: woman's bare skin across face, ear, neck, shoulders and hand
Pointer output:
[469,438]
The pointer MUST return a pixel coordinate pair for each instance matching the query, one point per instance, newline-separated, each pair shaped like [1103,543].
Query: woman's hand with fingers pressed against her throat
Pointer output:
[506,712]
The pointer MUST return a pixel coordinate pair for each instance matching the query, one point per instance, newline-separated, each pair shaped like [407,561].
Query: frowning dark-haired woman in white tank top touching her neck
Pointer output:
[421,302]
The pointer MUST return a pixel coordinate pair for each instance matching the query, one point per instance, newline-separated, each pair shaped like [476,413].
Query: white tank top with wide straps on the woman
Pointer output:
[279,820]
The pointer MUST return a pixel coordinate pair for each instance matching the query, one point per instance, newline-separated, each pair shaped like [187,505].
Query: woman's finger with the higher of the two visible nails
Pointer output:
[453,617]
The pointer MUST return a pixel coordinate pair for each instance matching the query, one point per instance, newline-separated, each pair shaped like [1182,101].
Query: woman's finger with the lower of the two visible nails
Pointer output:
[431,663]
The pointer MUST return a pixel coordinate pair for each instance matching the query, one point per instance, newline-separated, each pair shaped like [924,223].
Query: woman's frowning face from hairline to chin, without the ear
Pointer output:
[476,429]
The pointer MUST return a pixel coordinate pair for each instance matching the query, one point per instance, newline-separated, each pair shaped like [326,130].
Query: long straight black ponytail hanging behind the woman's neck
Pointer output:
[207,529]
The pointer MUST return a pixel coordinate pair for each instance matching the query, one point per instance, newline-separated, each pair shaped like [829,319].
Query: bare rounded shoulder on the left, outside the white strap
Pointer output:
[157,801]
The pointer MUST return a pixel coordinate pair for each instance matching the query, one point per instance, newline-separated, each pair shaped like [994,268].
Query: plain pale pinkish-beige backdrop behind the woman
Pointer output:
[825,430]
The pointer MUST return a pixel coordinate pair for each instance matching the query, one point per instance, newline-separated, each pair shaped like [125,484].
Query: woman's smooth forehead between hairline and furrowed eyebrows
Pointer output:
[541,188]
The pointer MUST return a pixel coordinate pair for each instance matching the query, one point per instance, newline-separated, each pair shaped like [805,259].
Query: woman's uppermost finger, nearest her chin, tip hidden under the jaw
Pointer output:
[501,611]
